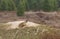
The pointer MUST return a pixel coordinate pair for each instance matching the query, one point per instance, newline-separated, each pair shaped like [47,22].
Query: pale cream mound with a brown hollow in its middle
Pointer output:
[19,24]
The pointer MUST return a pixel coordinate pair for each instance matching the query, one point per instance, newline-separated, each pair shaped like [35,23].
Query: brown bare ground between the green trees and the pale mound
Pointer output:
[49,18]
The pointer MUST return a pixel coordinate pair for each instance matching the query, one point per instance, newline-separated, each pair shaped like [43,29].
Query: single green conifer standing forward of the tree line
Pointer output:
[21,8]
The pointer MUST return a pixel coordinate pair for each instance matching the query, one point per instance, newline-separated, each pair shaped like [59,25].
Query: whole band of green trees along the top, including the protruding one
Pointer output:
[26,5]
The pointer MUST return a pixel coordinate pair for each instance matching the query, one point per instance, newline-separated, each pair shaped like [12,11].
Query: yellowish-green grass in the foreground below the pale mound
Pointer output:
[40,32]
